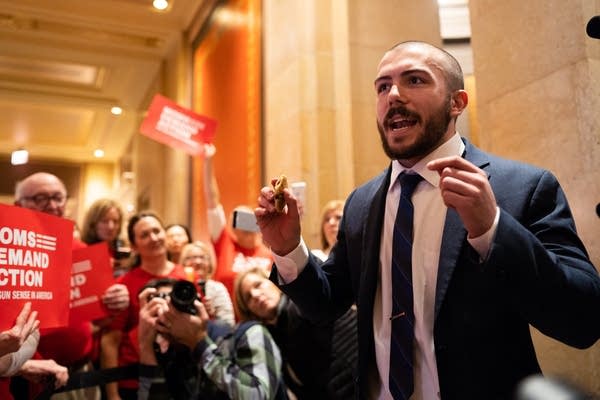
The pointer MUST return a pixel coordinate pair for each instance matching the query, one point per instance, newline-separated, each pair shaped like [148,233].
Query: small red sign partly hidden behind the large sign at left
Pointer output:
[91,275]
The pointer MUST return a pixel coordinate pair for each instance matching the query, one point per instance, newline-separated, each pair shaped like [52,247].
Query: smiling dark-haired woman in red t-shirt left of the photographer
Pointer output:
[119,346]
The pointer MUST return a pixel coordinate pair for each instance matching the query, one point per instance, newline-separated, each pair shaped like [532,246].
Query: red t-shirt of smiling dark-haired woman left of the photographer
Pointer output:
[127,320]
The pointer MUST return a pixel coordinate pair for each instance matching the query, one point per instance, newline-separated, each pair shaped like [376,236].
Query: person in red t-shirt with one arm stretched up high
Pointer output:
[236,249]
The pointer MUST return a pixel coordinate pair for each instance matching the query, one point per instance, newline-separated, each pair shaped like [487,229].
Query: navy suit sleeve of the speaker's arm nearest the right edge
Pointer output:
[550,279]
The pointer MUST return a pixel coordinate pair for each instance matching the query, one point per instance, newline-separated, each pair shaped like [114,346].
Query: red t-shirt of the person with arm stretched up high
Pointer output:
[233,259]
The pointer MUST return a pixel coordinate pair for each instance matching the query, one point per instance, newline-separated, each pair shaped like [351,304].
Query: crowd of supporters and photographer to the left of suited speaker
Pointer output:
[214,347]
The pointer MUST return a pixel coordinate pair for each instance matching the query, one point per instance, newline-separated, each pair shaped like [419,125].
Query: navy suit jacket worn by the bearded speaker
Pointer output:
[537,272]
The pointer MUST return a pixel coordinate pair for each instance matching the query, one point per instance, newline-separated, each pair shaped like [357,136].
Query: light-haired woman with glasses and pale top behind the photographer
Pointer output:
[198,261]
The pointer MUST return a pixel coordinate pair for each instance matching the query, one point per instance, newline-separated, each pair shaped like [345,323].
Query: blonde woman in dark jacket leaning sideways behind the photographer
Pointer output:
[319,359]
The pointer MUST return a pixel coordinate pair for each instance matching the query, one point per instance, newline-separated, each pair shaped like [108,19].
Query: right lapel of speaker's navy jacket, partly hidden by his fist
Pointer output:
[455,235]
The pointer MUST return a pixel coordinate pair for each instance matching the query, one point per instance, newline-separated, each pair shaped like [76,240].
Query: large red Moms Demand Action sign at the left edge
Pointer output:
[35,265]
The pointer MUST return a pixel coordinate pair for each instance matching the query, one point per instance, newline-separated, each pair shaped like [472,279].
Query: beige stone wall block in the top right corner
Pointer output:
[533,37]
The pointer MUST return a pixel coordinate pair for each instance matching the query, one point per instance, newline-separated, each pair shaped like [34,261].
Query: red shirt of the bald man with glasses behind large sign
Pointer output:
[78,335]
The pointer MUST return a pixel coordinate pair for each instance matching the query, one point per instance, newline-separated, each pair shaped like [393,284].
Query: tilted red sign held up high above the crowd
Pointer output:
[177,127]
